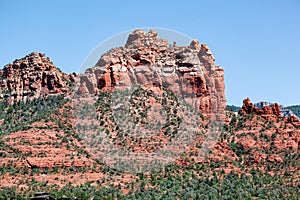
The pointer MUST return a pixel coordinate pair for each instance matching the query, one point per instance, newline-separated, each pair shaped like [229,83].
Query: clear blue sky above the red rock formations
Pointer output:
[257,42]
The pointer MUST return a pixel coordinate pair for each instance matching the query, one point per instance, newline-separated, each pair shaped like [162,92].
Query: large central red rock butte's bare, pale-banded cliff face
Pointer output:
[147,60]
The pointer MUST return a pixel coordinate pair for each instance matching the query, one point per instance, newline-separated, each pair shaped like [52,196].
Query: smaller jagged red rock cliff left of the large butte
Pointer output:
[31,77]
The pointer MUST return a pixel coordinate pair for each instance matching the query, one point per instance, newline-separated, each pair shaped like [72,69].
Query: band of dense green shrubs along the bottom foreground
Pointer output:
[174,183]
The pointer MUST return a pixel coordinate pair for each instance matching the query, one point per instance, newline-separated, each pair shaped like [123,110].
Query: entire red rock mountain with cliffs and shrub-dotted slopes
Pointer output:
[119,131]
